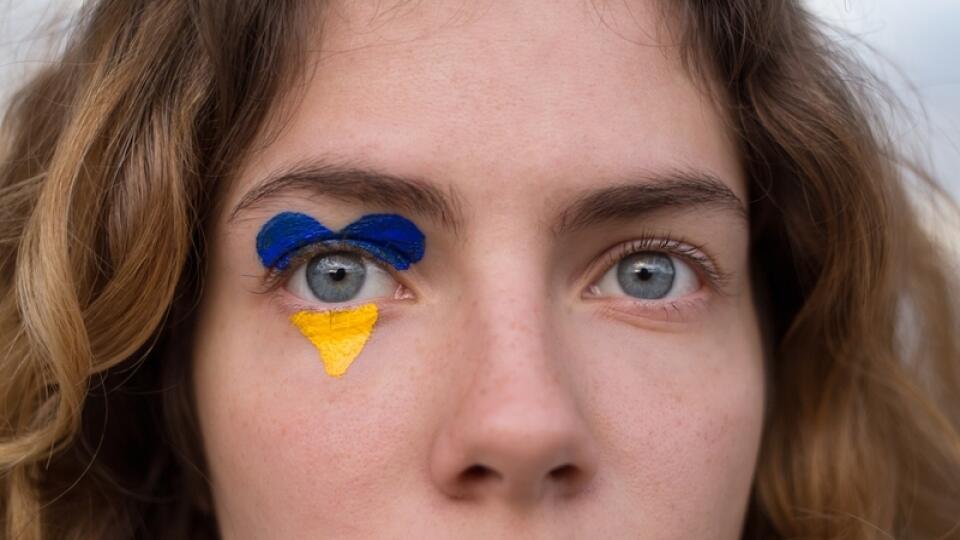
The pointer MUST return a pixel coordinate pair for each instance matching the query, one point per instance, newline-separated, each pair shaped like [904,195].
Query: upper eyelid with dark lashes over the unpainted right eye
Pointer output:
[698,255]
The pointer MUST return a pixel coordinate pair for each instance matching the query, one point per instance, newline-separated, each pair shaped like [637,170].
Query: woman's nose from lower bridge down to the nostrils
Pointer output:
[515,431]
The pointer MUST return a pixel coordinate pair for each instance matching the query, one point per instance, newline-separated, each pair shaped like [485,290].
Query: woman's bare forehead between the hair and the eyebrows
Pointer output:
[560,92]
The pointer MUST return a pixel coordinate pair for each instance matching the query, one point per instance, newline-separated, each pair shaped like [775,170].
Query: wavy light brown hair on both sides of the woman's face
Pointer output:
[111,163]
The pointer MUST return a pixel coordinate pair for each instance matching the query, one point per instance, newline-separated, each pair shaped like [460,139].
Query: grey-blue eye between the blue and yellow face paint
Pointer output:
[340,277]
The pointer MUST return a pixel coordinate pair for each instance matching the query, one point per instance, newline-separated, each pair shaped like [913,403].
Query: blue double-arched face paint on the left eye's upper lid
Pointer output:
[393,239]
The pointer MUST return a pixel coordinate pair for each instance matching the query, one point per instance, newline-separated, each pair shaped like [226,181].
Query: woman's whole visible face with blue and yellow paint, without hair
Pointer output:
[572,350]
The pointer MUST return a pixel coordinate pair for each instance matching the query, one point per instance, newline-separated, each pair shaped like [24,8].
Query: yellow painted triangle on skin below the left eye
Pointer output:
[339,335]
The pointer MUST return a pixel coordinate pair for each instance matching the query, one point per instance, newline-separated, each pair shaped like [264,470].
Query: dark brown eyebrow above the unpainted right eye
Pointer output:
[675,189]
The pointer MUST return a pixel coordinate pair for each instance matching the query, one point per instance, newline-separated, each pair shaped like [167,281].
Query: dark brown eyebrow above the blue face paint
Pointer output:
[360,185]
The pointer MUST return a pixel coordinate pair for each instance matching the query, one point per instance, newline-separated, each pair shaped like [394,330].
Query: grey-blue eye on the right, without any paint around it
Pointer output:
[648,275]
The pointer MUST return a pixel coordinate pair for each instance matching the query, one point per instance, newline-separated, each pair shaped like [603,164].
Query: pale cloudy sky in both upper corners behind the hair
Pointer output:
[918,39]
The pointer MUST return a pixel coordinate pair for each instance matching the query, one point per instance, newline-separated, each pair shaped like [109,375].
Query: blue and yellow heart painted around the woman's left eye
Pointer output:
[335,273]
